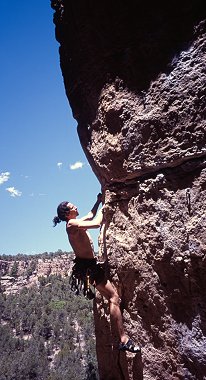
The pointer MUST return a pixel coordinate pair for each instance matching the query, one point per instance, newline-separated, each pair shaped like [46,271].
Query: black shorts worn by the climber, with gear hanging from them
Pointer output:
[84,267]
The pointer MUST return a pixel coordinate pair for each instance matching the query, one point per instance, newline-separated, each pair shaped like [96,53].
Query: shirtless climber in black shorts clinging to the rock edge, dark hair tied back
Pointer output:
[85,261]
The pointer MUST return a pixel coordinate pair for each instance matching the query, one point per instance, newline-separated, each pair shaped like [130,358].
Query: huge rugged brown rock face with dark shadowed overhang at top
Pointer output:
[134,74]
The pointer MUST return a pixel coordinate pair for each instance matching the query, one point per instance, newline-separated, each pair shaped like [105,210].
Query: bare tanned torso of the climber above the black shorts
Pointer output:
[80,242]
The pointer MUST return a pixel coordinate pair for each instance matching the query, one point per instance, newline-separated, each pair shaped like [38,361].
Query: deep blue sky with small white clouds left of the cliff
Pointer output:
[39,143]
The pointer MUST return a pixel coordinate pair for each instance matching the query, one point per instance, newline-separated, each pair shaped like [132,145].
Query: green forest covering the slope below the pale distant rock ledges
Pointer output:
[48,315]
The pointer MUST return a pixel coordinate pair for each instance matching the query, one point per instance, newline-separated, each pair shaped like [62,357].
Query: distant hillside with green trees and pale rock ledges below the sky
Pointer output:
[46,332]
